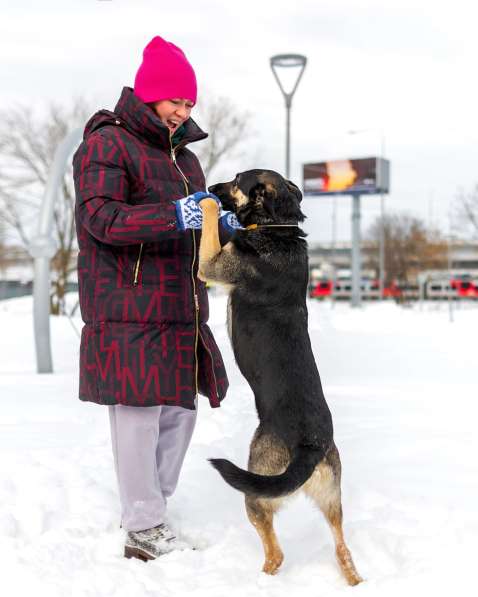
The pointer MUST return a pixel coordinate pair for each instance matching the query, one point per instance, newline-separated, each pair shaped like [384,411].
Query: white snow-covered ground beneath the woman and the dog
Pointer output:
[402,387]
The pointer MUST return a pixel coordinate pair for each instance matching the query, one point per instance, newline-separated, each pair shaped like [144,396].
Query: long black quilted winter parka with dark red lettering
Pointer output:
[145,340]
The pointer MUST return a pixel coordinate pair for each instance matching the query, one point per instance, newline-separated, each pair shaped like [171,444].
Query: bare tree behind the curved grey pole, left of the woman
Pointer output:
[27,147]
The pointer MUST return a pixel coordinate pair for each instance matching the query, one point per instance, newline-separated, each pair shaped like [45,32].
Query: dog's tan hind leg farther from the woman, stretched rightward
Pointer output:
[324,489]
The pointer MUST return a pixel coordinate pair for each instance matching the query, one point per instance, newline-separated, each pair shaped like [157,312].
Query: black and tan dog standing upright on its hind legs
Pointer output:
[265,267]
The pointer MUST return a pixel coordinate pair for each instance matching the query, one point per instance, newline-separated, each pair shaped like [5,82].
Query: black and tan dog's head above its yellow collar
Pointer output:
[261,197]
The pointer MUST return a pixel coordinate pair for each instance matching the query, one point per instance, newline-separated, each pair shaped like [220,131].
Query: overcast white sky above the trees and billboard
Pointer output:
[400,72]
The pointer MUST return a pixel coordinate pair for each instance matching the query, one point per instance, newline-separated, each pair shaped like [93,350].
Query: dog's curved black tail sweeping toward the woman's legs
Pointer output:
[299,470]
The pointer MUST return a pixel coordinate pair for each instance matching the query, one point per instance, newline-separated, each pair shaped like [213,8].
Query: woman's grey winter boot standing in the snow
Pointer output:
[152,543]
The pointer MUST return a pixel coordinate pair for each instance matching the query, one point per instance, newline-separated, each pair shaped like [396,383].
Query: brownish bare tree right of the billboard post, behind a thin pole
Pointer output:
[409,247]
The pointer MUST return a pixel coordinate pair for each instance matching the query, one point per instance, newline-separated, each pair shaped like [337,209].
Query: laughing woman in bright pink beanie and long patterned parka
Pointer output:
[146,350]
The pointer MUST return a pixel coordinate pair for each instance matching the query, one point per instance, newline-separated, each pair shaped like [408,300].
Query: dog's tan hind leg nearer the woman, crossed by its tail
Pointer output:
[268,456]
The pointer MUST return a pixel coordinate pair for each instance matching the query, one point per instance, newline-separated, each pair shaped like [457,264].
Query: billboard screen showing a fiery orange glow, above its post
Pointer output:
[347,177]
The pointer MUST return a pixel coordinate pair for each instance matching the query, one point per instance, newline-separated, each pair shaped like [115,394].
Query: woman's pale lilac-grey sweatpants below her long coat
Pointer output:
[149,445]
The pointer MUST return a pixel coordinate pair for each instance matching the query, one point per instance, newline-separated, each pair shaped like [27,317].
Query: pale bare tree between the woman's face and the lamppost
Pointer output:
[228,131]
